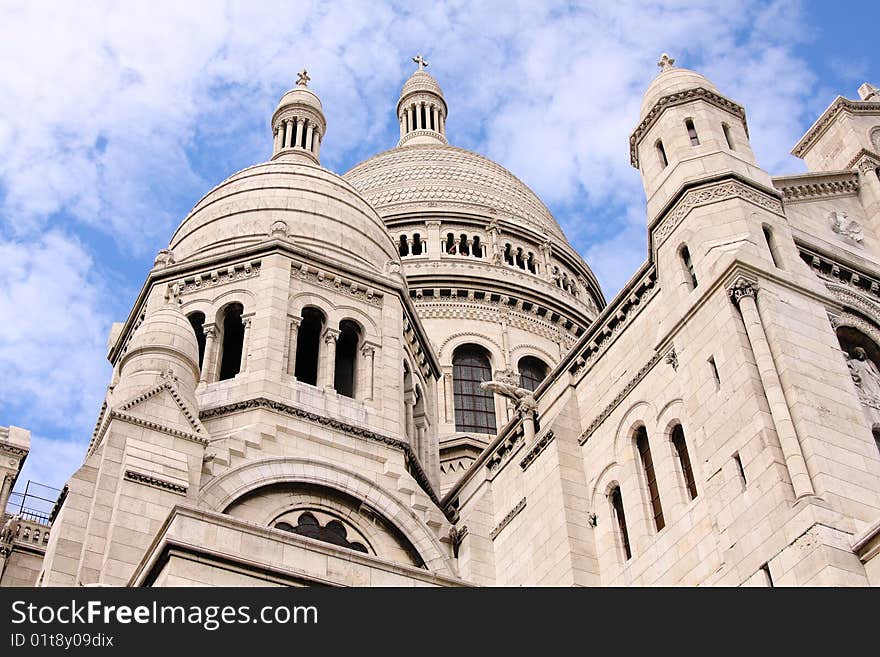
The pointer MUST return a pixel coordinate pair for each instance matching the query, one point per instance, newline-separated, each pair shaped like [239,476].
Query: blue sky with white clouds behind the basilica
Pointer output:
[115,118]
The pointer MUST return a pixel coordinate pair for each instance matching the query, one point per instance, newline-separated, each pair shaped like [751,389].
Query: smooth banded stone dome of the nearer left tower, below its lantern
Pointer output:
[319,211]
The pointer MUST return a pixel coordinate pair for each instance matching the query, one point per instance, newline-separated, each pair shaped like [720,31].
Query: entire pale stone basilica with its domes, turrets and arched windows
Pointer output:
[405,375]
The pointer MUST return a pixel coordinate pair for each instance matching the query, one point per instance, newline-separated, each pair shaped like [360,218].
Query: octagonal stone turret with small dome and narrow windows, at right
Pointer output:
[688,131]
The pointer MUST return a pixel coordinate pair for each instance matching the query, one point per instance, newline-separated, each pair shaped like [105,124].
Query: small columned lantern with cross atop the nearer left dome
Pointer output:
[298,124]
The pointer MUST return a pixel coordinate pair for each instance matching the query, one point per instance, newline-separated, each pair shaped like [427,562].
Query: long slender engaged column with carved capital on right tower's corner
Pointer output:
[743,294]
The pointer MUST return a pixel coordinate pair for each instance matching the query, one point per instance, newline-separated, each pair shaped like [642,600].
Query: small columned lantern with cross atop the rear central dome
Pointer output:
[421,109]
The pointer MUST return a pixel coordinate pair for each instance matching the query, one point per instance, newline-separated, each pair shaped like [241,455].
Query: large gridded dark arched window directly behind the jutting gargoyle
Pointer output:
[474,407]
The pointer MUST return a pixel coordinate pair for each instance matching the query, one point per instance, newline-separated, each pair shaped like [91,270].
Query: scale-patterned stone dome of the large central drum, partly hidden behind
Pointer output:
[435,177]
